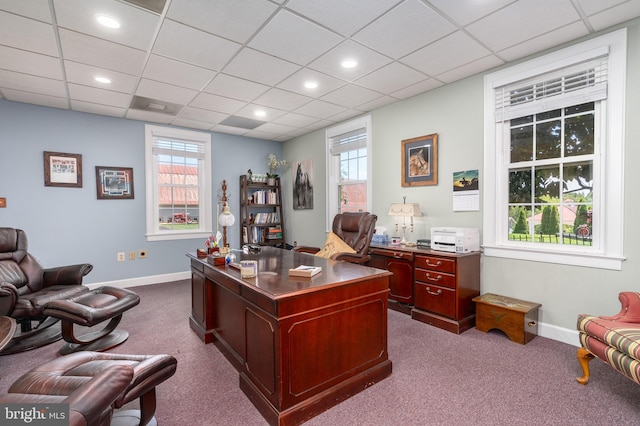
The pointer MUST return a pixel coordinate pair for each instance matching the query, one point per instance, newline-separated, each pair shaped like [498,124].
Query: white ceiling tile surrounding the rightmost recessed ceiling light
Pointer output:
[368,60]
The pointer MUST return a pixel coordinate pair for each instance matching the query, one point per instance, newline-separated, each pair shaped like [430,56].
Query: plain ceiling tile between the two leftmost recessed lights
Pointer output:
[104,54]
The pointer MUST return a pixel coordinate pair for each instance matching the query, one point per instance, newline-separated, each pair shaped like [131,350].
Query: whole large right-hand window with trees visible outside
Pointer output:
[554,154]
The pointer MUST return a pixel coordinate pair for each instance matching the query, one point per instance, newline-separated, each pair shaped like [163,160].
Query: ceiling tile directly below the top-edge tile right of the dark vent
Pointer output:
[193,46]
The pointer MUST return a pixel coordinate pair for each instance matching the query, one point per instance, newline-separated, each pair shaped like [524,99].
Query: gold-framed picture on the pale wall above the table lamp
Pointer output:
[420,161]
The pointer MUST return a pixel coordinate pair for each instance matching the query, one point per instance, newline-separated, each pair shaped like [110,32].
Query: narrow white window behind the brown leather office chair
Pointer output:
[349,160]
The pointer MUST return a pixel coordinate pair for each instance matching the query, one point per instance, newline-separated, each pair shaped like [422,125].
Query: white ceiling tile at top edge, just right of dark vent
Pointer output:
[234,20]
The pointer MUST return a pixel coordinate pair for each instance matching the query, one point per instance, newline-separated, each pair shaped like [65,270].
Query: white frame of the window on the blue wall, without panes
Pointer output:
[151,184]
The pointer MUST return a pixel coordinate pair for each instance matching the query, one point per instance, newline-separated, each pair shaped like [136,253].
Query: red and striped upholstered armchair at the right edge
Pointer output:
[613,339]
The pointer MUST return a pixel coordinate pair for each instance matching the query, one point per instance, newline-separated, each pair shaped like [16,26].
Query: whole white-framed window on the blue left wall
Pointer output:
[178,176]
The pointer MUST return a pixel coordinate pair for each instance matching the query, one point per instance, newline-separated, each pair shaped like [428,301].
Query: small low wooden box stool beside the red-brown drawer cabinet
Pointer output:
[518,319]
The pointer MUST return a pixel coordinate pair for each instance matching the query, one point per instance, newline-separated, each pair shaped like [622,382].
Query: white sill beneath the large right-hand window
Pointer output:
[599,261]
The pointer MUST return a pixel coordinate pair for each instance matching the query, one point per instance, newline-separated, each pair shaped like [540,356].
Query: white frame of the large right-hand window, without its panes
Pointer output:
[609,253]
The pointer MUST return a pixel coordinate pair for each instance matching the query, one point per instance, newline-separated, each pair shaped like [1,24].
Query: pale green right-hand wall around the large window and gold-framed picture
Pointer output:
[455,113]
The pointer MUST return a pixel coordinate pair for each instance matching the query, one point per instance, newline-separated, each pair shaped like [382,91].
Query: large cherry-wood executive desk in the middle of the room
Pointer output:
[301,345]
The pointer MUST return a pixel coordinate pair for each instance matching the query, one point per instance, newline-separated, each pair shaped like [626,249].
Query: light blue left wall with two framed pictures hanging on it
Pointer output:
[70,225]
